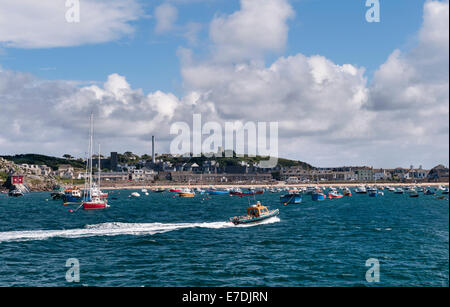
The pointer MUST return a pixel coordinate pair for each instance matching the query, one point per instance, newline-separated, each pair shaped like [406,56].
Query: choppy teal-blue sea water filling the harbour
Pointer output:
[159,240]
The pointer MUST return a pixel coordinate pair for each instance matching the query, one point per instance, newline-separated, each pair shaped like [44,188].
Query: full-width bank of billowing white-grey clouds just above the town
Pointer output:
[328,114]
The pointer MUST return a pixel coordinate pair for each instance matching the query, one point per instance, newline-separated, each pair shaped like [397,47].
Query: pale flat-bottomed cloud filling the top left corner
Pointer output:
[43,24]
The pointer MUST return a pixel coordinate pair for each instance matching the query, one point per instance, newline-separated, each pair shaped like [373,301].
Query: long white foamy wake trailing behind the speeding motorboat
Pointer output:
[115,229]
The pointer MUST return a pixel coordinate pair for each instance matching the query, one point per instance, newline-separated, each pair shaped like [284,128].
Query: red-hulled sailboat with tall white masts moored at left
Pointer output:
[93,198]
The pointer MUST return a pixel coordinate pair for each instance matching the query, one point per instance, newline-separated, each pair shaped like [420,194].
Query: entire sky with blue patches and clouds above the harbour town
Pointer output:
[343,91]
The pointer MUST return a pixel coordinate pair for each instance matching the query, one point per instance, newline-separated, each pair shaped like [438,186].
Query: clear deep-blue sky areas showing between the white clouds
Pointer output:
[335,29]
